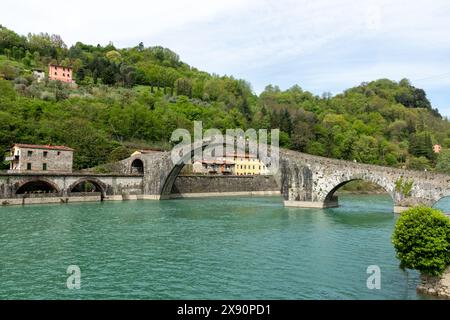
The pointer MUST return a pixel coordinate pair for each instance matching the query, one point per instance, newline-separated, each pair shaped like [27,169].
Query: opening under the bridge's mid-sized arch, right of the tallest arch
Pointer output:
[360,193]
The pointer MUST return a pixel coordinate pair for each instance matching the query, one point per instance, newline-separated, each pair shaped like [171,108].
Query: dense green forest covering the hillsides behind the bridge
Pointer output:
[135,97]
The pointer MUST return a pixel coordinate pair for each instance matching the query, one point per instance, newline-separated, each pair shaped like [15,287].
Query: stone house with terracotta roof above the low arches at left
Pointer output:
[40,158]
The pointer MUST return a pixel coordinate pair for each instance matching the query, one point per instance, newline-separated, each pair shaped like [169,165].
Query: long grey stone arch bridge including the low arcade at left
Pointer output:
[304,180]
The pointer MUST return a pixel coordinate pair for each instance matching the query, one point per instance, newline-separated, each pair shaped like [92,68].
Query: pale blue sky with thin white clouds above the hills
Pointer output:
[322,45]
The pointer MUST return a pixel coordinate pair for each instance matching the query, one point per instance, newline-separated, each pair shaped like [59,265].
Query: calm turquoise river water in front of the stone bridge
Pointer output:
[217,248]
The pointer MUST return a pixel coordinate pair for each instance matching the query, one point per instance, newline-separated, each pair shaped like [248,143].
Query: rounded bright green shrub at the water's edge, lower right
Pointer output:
[422,240]
